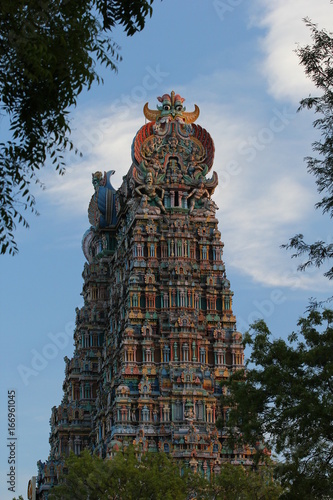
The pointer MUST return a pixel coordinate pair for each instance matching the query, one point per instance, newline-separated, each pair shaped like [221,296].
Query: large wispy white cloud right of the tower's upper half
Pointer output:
[263,202]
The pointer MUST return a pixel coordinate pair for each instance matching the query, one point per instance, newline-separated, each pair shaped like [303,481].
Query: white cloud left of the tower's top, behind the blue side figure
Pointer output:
[105,140]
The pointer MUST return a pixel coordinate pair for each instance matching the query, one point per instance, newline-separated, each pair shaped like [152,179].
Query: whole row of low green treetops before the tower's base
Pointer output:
[154,476]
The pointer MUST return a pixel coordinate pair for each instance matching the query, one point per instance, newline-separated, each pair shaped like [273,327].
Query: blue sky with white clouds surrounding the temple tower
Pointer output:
[236,60]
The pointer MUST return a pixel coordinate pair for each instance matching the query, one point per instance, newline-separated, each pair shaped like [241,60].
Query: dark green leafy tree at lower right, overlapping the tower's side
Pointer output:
[285,402]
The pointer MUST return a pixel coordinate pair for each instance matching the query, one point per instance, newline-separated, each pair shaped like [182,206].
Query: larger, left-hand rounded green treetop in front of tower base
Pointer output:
[152,477]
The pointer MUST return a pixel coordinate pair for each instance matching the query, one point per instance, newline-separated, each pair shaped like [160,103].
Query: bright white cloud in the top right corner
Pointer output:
[282,20]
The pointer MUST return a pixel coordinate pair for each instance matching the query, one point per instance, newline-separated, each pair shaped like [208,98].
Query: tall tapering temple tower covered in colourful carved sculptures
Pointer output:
[156,335]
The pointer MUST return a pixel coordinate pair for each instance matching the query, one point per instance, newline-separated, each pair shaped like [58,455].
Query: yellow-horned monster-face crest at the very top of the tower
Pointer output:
[172,108]
